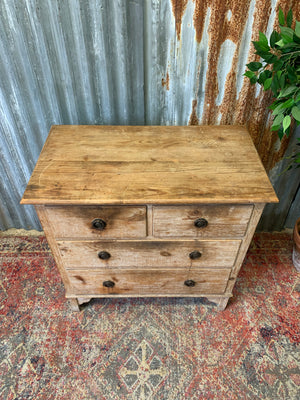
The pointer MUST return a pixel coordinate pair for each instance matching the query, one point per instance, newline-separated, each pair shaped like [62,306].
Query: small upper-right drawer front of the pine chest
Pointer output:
[208,221]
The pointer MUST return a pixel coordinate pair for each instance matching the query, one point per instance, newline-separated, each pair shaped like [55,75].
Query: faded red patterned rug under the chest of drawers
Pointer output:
[168,349]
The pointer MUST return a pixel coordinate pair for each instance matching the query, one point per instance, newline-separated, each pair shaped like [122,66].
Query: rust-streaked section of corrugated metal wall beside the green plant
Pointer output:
[219,94]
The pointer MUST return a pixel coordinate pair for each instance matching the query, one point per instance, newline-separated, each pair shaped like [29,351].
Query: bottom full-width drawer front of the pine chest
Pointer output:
[147,282]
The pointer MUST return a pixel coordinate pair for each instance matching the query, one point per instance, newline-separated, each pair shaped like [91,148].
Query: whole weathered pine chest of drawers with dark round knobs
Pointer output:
[149,211]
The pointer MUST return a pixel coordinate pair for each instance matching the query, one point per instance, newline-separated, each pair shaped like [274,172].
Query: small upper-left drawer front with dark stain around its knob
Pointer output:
[97,222]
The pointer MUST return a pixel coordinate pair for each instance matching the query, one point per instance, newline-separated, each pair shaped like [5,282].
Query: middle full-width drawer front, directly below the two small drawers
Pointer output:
[172,254]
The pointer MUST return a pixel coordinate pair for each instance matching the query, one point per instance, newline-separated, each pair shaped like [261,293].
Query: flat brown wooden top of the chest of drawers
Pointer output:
[148,165]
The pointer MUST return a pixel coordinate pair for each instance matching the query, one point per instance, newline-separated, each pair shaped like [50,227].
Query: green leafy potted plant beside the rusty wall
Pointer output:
[278,69]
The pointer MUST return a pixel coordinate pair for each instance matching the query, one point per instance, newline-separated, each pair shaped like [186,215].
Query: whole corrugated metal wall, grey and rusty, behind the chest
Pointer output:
[162,62]
